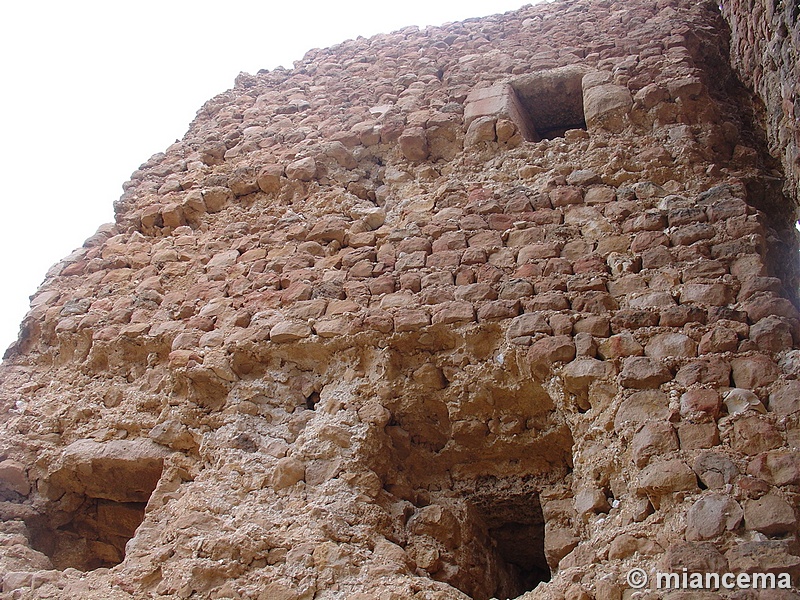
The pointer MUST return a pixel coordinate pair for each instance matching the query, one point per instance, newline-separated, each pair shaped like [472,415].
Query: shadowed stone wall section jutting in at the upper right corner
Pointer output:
[765,51]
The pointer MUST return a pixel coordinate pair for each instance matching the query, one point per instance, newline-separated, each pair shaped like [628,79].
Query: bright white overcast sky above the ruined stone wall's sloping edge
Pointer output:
[91,89]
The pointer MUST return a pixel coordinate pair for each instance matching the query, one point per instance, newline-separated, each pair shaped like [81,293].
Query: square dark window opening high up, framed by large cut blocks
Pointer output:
[552,100]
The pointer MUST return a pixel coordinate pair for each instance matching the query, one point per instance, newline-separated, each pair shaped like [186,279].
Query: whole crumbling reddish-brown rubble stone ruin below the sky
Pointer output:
[363,334]
